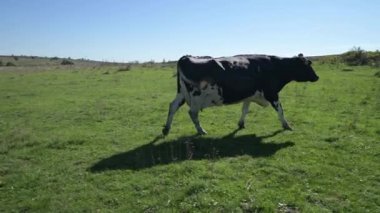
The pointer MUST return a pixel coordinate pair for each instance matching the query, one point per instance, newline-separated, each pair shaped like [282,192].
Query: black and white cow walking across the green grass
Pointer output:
[205,81]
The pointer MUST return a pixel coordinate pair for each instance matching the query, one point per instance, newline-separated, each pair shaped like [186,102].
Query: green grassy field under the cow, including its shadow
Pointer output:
[87,139]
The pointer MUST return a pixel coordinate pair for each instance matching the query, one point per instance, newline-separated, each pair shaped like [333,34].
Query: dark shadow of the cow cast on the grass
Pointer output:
[190,148]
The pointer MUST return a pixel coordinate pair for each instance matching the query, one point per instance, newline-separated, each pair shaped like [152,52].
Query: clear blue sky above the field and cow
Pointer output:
[123,30]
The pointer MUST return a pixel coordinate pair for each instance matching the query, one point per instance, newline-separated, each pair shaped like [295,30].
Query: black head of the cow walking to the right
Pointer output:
[302,69]
